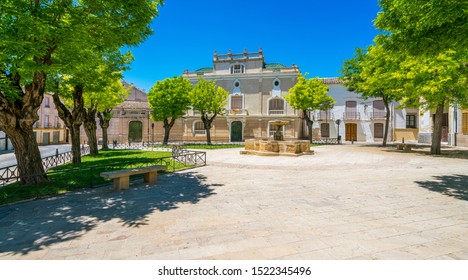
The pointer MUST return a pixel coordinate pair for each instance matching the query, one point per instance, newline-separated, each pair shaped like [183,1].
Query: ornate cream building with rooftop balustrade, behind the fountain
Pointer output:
[256,98]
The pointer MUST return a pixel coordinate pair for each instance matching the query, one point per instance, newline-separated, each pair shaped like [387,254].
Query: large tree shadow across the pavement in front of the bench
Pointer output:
[33,225]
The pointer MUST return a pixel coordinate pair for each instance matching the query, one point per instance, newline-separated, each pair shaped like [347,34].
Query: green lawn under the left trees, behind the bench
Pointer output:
[68,177]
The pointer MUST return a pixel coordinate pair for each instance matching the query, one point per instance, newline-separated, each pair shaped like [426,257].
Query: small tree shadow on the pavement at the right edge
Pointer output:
[452,185]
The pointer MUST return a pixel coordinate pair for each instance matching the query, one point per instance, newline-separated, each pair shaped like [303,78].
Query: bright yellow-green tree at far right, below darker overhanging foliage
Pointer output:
[432,83]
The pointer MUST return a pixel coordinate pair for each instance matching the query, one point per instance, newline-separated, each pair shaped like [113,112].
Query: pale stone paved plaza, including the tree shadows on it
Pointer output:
[344,202]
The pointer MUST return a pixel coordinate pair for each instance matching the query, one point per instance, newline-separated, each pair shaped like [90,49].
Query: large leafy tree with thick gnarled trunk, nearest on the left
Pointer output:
[33,34]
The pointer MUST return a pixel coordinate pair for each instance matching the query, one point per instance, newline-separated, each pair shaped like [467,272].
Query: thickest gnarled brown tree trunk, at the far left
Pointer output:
[16,120]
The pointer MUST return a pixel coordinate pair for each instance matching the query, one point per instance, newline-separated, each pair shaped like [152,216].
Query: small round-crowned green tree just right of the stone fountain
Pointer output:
[308,95]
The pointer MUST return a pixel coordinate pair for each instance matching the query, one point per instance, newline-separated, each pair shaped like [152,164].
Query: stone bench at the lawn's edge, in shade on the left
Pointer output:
[122,177]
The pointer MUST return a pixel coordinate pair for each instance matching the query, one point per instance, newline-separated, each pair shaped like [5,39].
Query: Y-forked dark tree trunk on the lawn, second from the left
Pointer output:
[73,119]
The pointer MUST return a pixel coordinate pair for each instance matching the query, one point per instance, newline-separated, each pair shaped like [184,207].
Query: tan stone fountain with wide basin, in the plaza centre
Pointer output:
[278,146]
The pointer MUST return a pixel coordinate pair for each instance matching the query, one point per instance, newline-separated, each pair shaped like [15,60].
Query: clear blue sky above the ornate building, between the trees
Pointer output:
[315,35]
